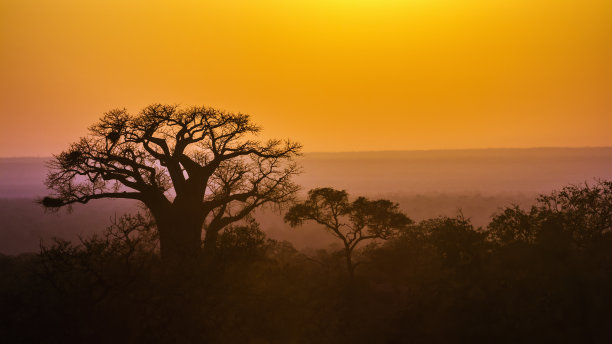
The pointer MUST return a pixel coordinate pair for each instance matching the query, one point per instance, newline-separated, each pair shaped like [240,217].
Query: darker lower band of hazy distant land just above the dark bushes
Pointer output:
[24,223]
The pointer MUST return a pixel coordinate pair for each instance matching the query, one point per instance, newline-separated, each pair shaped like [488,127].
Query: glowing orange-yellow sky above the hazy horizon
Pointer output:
[336,75]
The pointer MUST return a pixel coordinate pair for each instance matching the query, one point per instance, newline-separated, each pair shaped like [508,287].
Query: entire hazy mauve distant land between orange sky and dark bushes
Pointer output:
[425,183]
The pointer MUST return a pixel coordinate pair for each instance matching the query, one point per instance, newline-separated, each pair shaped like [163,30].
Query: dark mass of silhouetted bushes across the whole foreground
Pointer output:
[533,275]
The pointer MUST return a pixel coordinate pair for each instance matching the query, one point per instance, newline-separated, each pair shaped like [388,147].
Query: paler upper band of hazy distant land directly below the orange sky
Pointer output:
[489,171]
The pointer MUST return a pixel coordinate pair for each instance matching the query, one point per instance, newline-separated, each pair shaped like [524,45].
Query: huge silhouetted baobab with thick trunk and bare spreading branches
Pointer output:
[195,169]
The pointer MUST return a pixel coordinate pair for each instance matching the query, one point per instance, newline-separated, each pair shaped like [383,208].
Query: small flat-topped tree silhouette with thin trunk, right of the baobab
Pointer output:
[351,222]
